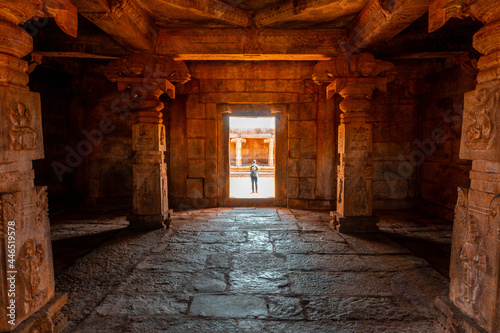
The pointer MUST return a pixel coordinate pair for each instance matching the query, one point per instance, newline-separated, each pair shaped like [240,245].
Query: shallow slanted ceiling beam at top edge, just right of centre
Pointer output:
[307,10]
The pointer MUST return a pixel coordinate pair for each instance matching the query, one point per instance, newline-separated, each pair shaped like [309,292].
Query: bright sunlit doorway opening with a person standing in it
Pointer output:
[252,139]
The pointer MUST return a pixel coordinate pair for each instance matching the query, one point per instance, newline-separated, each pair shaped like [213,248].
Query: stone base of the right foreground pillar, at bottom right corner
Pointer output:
[453,320]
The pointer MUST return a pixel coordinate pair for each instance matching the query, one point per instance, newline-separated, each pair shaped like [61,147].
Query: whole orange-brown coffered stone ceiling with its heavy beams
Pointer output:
[292,30]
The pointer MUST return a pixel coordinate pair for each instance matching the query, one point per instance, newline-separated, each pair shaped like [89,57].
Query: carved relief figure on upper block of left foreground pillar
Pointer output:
[23,136]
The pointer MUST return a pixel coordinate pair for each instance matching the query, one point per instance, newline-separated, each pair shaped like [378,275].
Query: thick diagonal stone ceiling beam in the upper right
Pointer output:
[380,21]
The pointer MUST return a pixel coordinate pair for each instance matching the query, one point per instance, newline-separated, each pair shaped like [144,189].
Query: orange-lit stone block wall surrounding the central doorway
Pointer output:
[311,127]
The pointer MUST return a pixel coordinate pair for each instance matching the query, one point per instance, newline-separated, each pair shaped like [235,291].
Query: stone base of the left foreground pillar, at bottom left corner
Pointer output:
[48,319]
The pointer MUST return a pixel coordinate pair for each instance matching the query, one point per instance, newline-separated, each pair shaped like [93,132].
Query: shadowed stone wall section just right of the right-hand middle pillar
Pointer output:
[395,126]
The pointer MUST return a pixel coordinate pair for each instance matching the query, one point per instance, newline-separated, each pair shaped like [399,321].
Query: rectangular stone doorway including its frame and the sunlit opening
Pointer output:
[268,147]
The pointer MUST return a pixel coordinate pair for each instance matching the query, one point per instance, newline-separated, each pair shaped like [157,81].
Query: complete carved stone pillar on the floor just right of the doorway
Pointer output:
[354,79]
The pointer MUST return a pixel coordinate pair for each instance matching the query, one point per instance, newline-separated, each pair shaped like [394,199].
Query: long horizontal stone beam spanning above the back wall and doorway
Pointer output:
[244,44]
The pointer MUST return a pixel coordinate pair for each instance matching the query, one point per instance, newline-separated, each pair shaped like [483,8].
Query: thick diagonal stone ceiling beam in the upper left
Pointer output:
[123,20]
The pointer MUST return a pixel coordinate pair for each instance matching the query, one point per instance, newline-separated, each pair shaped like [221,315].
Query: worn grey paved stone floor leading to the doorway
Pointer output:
[250,270]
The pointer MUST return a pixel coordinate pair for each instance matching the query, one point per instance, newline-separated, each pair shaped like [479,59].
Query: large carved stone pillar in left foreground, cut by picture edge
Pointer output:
[27,298]
